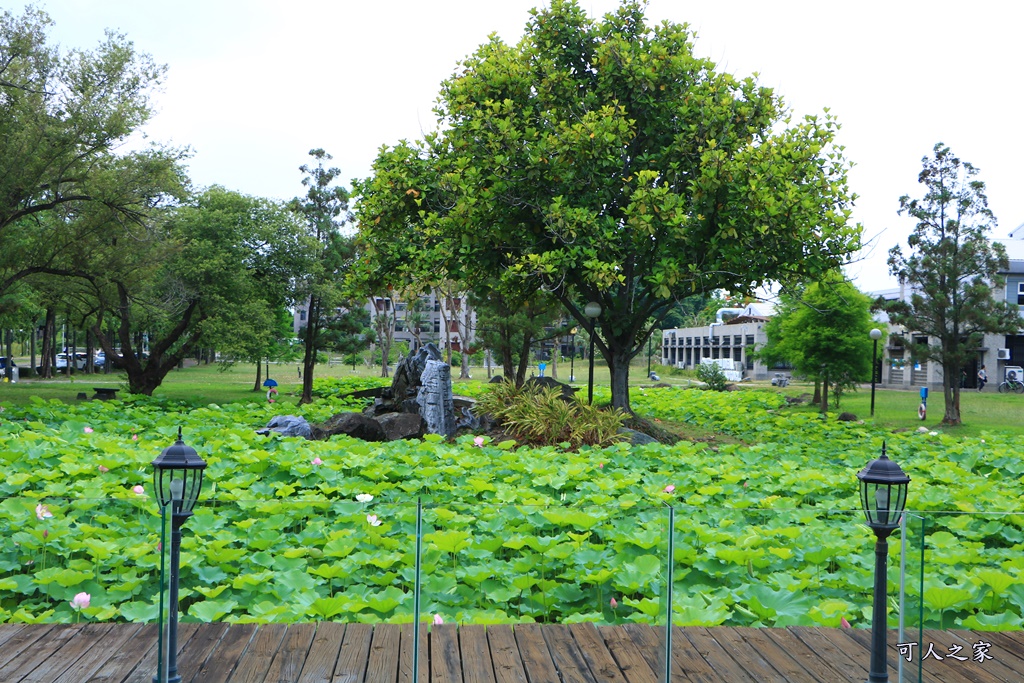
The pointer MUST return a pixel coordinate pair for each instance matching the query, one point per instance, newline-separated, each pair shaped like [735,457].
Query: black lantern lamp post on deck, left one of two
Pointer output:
[178,479]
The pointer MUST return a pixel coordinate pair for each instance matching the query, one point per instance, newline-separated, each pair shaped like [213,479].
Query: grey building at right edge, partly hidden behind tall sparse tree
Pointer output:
[997,353]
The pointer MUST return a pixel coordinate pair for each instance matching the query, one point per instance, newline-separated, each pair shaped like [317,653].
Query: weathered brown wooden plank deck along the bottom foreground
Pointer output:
[526,654]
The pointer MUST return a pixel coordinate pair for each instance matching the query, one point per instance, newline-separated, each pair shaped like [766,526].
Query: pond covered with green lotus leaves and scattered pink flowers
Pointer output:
[765,532]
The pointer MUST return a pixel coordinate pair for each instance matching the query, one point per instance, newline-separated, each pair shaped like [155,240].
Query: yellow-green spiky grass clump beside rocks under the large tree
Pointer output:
[539,416]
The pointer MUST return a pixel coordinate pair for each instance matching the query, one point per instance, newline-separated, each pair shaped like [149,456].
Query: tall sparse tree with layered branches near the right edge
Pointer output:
[953,272]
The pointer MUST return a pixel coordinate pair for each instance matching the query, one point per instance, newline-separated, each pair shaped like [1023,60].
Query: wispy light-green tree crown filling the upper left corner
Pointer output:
[64,116]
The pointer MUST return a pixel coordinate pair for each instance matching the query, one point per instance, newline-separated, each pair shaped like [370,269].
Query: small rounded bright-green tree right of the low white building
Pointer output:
[824,333]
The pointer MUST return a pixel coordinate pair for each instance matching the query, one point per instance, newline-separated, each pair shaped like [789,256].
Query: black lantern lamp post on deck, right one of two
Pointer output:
[883,497]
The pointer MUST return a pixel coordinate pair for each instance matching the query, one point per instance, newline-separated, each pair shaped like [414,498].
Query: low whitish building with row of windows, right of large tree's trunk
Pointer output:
[735,335]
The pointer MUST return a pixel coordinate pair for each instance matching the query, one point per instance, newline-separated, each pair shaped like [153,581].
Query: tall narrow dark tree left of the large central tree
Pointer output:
[325,210]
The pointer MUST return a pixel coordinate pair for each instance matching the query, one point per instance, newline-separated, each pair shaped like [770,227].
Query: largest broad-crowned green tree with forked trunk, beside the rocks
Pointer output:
[604,161]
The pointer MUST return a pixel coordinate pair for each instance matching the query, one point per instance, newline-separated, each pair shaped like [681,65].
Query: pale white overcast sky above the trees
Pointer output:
[255,84]
